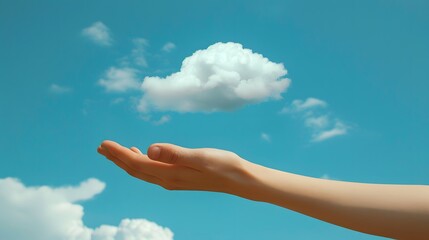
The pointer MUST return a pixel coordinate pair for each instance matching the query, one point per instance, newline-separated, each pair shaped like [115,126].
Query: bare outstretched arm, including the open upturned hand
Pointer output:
[394,211]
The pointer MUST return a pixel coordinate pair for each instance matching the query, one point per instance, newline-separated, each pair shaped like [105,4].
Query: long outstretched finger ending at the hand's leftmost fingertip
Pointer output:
[136,161]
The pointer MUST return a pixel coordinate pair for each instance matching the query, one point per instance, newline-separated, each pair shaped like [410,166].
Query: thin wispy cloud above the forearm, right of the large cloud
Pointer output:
[313,112]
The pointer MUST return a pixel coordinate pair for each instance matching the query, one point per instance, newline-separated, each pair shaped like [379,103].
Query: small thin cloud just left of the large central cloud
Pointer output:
[120,79]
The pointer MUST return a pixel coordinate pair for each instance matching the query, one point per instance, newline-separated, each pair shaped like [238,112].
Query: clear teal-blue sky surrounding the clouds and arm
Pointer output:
[365,62]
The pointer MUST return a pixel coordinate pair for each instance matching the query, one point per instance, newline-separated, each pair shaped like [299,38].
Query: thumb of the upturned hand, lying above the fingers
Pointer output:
[172,154]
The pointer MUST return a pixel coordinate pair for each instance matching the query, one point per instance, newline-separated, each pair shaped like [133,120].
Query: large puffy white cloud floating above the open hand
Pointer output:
[223,77]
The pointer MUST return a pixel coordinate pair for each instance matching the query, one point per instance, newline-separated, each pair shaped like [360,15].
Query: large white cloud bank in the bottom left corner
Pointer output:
[46,213]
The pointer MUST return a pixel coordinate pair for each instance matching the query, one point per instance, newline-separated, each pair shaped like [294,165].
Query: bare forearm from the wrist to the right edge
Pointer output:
[396,211]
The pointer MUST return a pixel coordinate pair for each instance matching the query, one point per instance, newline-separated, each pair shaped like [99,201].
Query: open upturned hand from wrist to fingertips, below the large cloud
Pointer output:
[178,168]
